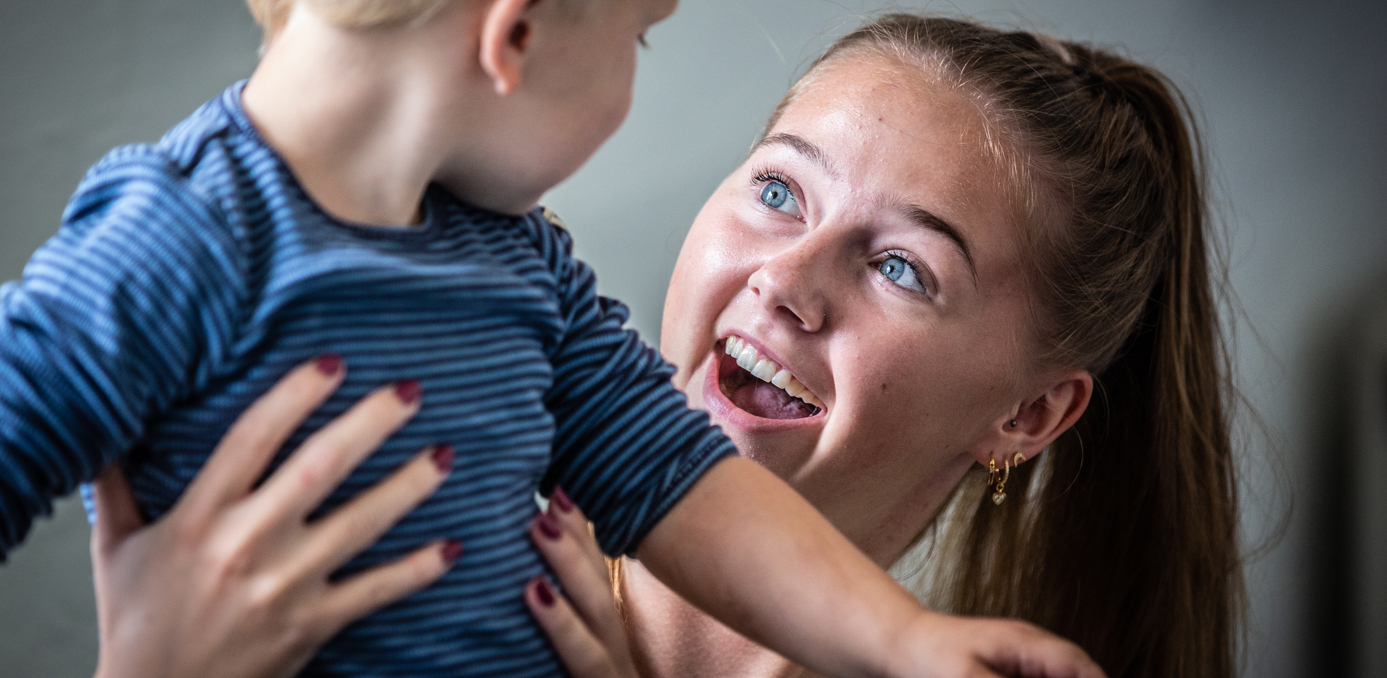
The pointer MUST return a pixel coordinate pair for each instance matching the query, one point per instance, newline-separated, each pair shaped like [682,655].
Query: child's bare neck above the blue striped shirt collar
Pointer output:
[356,124]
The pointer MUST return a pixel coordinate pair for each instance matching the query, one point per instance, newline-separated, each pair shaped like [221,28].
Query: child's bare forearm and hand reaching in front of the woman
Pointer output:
[750,551]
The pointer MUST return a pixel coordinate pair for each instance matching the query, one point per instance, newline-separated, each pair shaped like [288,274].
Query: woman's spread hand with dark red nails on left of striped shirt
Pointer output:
[232,583]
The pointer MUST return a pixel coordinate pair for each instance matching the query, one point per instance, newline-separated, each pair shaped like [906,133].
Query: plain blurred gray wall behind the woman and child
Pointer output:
[1292,94]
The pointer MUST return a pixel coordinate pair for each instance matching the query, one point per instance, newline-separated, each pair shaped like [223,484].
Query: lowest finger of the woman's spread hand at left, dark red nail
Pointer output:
[372,590]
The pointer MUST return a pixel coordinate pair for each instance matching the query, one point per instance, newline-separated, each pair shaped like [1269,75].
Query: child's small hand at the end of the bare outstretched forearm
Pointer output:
[947,647]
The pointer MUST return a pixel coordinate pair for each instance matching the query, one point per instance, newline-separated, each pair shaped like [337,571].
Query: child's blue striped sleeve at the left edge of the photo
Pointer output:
[116,318]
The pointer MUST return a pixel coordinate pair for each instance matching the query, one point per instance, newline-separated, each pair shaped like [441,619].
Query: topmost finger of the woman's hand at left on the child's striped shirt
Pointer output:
[261,431]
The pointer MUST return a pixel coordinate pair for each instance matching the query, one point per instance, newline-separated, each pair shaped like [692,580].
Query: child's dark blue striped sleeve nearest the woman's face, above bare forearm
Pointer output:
[628,447]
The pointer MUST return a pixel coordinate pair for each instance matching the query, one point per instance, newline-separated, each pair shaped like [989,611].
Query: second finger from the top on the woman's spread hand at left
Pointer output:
[321,464]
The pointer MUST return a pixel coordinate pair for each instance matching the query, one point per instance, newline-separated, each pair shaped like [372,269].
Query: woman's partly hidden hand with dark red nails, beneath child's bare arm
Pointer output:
[583,620]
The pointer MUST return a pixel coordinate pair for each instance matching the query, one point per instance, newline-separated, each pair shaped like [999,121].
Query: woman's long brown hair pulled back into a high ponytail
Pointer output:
[1123,537]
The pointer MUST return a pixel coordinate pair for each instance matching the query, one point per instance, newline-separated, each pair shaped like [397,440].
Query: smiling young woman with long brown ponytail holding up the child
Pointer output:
[976,247]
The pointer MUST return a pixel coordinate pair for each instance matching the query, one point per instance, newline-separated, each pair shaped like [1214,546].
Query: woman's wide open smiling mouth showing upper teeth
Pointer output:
[761,386]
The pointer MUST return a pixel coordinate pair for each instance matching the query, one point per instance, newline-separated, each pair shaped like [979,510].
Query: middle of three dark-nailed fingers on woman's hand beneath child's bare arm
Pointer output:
[586,584]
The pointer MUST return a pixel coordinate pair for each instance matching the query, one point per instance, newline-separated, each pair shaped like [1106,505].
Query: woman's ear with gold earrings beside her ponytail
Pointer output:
[1037,422]
